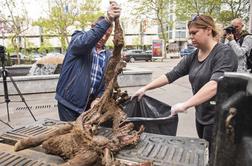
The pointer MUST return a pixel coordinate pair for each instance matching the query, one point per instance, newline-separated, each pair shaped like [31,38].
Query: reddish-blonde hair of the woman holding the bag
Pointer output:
[203,21]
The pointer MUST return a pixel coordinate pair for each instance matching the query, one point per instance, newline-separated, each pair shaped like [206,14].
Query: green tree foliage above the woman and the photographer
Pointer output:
[221,10]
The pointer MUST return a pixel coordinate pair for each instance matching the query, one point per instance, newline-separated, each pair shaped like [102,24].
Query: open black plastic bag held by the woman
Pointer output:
[155,115]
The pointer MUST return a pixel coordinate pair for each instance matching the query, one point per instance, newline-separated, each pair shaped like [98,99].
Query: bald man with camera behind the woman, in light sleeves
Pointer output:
[241,43]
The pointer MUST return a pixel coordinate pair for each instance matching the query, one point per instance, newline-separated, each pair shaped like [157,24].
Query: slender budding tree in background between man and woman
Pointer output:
[156,10]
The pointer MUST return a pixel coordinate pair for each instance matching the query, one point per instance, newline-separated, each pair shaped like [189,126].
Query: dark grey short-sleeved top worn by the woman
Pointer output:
[221,59]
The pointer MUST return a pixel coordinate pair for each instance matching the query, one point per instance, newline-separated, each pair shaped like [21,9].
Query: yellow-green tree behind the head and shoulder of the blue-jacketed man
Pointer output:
[66,14]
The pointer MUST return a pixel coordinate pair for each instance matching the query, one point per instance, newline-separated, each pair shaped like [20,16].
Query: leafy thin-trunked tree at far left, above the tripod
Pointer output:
[17,20]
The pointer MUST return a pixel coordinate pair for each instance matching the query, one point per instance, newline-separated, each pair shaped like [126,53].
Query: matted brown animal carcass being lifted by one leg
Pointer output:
[78,143]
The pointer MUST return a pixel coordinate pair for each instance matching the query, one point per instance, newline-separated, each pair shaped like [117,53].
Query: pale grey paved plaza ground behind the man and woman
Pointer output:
[44,105]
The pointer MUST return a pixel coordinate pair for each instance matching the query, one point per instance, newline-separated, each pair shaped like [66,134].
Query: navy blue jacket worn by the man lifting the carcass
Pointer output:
[74,83]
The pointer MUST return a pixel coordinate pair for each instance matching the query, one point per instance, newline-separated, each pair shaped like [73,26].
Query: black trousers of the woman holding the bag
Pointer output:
[205,132]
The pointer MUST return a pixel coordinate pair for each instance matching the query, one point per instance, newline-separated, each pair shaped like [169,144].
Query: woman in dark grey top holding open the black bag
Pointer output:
[204,67]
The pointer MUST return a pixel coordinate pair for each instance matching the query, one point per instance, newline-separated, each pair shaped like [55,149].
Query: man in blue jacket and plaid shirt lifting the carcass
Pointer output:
[81,80]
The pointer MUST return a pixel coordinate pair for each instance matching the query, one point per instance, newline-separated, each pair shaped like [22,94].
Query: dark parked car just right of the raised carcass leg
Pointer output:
[136,54]
